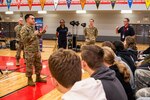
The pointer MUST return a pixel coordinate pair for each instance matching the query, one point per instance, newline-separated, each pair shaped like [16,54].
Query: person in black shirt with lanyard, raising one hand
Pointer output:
[125,30]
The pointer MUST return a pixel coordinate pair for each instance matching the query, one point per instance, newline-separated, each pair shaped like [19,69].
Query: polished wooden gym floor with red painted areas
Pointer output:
[16,89]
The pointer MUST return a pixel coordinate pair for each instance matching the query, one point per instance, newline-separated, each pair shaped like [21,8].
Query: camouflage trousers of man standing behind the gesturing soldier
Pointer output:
[19,47]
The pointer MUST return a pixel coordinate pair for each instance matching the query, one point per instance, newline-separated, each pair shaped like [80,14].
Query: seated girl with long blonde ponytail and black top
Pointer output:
[122,73]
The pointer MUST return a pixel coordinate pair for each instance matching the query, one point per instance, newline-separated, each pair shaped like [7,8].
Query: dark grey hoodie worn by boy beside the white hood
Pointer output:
[112,86]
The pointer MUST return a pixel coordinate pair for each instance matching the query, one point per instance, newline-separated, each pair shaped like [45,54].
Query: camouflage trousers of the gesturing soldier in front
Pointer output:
[33,59]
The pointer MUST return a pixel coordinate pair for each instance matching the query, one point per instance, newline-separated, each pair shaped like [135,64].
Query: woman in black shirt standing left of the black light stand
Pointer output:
[61,34]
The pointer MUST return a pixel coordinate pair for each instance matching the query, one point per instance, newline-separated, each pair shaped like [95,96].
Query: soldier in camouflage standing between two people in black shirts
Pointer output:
[90,33]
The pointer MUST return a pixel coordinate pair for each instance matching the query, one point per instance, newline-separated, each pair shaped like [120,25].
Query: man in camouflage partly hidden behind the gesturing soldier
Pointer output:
[19,44]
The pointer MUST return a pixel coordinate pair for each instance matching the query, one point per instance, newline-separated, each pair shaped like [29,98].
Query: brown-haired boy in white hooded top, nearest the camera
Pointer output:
[65,67]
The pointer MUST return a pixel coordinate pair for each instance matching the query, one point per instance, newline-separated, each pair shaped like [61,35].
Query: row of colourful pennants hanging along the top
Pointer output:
[68,2]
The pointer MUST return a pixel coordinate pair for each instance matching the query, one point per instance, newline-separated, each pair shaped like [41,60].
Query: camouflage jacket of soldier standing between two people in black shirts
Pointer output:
[90,34]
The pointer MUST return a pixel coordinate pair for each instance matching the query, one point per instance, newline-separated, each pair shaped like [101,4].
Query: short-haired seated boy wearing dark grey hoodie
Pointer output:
[92,62]
